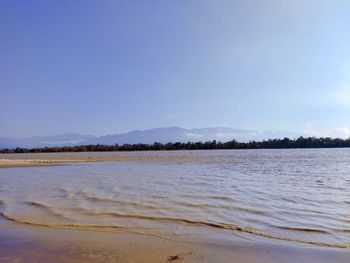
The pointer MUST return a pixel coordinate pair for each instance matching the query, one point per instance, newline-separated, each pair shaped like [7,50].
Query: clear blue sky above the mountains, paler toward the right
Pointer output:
[104,67]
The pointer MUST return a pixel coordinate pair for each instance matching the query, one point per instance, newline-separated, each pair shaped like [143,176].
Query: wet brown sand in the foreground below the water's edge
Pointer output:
[20,243]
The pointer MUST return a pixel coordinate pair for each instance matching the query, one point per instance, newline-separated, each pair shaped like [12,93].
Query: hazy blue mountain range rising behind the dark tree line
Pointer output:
[162,135]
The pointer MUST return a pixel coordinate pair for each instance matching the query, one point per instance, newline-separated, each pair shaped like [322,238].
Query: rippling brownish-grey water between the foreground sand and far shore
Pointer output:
[296,195]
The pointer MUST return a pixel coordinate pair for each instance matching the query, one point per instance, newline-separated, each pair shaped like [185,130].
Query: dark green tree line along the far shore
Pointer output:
[301,142]
